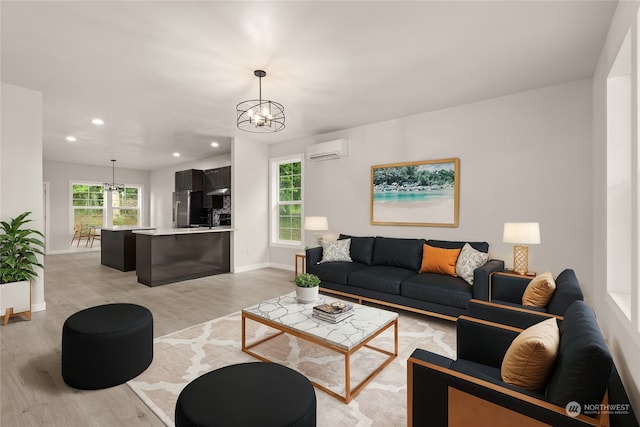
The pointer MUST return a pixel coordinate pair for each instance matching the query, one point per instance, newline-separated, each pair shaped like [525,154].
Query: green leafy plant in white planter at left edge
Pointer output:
[19,248]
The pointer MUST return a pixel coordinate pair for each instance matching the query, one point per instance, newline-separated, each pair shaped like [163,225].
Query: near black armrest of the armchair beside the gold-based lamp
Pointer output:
[518,317]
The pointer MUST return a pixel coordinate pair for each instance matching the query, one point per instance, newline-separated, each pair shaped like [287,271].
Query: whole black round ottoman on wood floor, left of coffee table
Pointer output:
[106,345]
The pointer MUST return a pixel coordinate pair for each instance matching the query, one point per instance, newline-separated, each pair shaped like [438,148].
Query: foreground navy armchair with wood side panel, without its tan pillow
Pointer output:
[470,390]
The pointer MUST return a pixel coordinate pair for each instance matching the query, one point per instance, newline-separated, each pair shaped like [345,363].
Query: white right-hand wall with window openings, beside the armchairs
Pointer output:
[621,333]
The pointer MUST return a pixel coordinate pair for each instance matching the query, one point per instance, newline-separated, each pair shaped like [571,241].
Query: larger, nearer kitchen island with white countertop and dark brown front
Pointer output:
[175,254]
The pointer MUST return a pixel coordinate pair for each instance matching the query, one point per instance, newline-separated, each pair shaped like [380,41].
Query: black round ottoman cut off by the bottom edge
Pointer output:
[248,394]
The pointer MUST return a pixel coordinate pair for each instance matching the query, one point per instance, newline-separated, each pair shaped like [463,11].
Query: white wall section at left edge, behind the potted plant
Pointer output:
[21,166]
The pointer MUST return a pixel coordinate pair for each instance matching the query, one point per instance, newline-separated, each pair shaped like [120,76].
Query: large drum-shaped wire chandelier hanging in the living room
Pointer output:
[260,115]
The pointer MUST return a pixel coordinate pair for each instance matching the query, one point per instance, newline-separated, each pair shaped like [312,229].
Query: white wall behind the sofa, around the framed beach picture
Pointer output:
[523,157]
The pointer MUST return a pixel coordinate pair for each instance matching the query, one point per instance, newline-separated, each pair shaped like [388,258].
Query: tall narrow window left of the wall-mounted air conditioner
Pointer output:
[286,178]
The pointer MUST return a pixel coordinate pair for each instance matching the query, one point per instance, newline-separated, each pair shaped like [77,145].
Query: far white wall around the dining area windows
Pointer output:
[61,174]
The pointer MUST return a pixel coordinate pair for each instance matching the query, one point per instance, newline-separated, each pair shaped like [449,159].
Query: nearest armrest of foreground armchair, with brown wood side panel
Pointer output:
[436,394]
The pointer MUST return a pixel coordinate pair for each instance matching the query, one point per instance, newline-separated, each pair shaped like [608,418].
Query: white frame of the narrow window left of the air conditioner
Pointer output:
[275,203]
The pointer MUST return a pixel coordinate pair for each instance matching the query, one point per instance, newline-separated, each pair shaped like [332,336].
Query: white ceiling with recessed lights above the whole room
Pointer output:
[166,76]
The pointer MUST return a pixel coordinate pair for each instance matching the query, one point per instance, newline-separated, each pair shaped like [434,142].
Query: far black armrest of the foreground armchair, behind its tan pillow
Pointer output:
[483,342]
